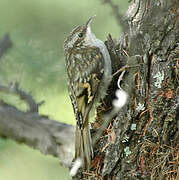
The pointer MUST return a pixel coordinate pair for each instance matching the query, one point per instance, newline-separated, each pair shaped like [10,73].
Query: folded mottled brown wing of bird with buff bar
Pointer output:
[85,79]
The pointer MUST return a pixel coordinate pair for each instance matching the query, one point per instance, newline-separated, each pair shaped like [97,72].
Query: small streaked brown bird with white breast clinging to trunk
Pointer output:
[88,66]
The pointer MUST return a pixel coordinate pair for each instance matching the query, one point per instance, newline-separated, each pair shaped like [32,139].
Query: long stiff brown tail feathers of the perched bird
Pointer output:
[83,146]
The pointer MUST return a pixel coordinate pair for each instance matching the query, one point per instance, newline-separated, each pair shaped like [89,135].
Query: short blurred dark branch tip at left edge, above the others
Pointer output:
[5,44]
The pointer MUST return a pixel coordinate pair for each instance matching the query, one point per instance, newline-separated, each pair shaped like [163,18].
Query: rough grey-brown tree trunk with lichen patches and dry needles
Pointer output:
[142,141]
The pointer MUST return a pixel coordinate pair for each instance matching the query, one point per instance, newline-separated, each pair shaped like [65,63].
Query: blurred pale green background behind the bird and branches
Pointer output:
[38,29]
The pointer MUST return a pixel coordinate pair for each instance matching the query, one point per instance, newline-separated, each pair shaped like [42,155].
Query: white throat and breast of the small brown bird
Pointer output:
[91,40]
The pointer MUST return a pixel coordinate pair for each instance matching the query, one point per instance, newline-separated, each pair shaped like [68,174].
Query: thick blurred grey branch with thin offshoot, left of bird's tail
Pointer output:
[39,132]
